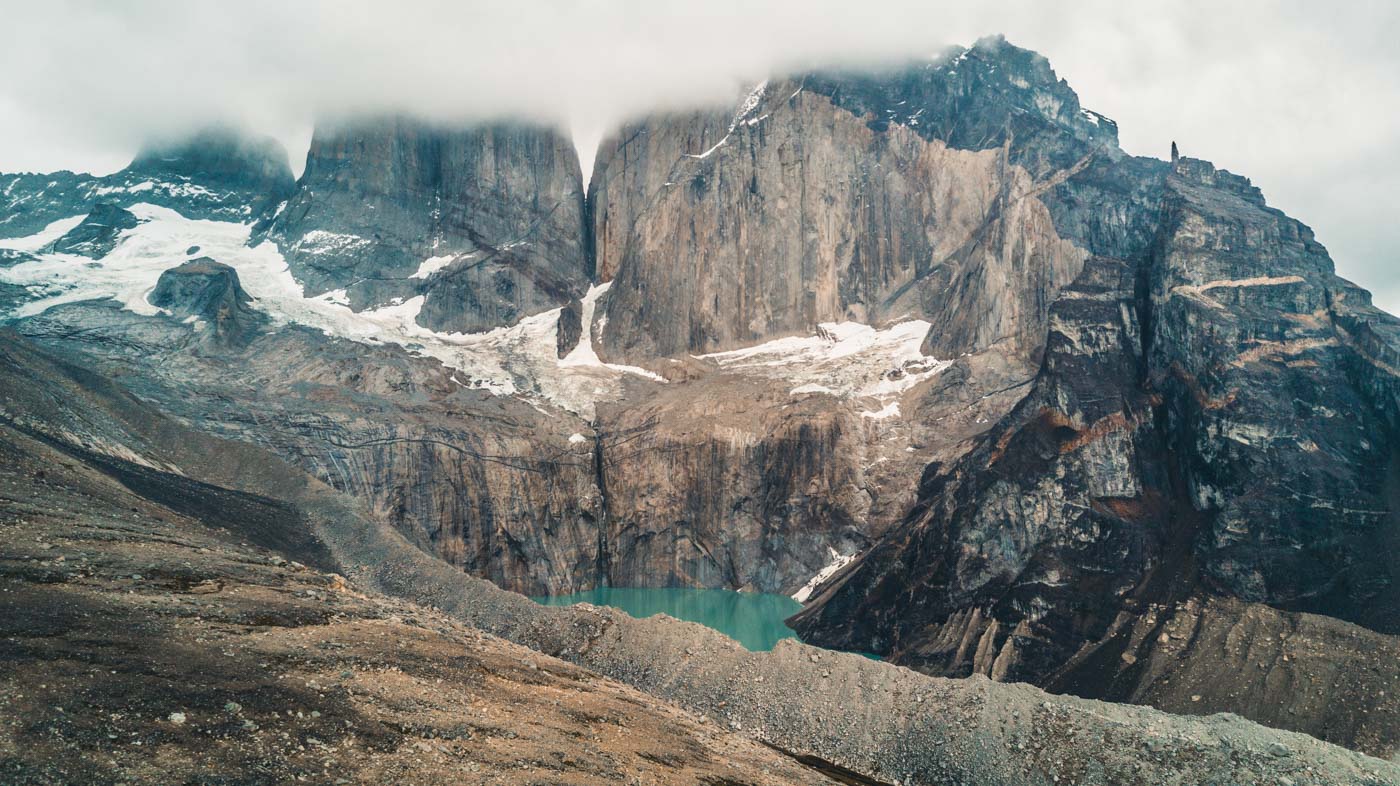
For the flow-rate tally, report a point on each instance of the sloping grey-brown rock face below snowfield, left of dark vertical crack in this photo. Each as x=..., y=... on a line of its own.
x=489, y=485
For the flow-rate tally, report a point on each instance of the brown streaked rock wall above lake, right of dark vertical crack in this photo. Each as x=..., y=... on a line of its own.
x=729, y=485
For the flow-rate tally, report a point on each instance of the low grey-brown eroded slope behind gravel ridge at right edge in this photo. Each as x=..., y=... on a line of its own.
x=1174, y=658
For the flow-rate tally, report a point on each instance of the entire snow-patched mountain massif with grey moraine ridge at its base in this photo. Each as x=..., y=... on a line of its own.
x=920, y=344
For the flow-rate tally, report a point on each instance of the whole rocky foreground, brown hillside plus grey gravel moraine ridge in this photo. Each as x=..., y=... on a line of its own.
x=120, y=529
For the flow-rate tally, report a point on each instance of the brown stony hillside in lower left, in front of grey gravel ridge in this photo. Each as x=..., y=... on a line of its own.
x=155, y=631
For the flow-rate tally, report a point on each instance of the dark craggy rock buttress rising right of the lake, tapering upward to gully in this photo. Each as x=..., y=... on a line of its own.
x=1020, y=564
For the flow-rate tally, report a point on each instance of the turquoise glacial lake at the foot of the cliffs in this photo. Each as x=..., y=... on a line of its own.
x=754, y=620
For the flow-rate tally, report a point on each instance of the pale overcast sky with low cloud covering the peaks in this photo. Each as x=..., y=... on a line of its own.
x=1301, y=97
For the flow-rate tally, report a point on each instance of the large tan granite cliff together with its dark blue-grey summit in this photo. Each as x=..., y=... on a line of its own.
x=965, y=191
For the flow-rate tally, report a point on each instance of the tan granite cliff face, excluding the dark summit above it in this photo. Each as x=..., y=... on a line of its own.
x=800, y=214
